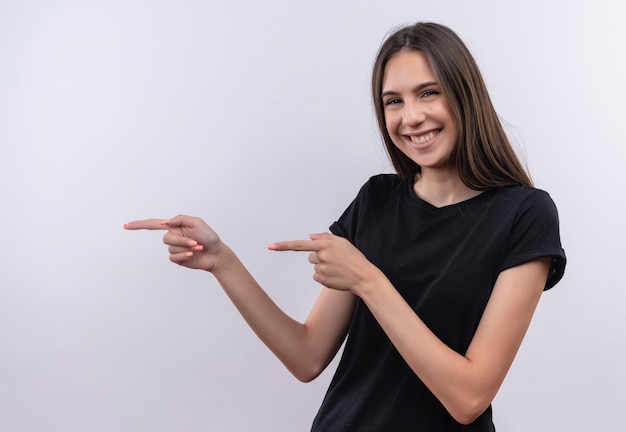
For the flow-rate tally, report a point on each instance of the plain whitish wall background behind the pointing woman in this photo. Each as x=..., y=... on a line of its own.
x=257, y=117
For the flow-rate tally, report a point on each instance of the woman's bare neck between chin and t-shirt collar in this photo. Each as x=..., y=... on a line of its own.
x=442, y=188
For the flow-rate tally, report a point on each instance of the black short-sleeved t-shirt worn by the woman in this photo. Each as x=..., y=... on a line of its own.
x=444, y=262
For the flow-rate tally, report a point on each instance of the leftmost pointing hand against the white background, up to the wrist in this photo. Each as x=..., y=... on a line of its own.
x=191, y=242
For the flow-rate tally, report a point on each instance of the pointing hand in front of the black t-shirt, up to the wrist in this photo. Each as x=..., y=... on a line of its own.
x=336, y=262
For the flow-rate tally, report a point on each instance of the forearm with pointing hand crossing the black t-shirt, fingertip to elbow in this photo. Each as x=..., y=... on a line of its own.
x=342, y=267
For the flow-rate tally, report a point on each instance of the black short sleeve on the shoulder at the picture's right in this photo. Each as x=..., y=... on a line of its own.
x=535, y=234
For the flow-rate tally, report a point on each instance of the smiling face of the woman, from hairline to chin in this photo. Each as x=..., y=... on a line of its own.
x=417, y=115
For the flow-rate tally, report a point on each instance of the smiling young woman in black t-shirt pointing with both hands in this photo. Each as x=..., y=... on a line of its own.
x=432, y=273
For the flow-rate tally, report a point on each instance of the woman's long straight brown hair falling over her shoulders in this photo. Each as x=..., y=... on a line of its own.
x=484, y=156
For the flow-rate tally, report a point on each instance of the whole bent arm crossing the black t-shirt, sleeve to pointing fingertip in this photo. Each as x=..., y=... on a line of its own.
x=465, y=385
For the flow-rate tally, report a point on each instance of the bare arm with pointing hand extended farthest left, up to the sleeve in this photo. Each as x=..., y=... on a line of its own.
x=304, y=348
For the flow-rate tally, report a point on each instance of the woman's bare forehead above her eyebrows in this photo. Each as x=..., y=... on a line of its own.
x=407, y=68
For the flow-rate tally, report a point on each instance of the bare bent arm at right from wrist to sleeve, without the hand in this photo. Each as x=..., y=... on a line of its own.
x=467, y=384
